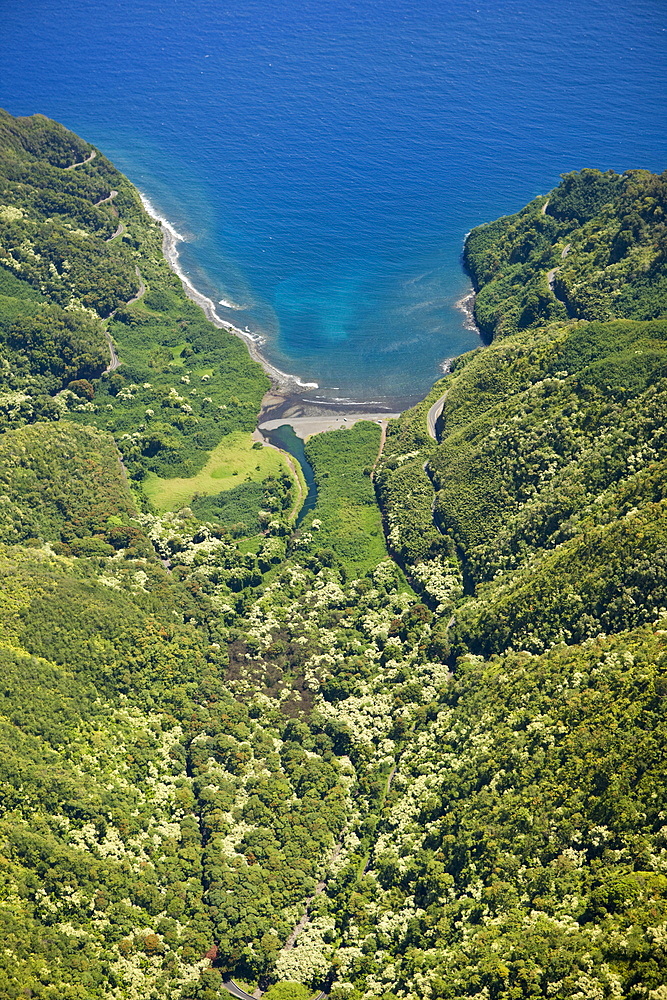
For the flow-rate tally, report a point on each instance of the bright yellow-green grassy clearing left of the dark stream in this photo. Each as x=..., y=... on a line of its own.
x=231, y=462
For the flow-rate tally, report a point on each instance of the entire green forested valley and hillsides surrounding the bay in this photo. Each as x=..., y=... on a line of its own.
x=412, y=748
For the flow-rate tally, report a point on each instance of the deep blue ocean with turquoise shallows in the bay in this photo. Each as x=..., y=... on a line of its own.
x=325, y=159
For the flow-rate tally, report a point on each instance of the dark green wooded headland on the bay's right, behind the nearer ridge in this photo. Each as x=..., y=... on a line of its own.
x=594, y=249
